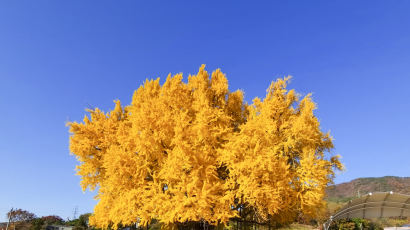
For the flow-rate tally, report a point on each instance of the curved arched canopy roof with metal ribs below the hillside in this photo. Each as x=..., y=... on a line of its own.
x=375, y=205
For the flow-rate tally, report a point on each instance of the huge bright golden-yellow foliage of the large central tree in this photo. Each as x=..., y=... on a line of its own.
x=195, y=151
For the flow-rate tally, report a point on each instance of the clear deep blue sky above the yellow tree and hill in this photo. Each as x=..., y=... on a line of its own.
x=59, y=57
